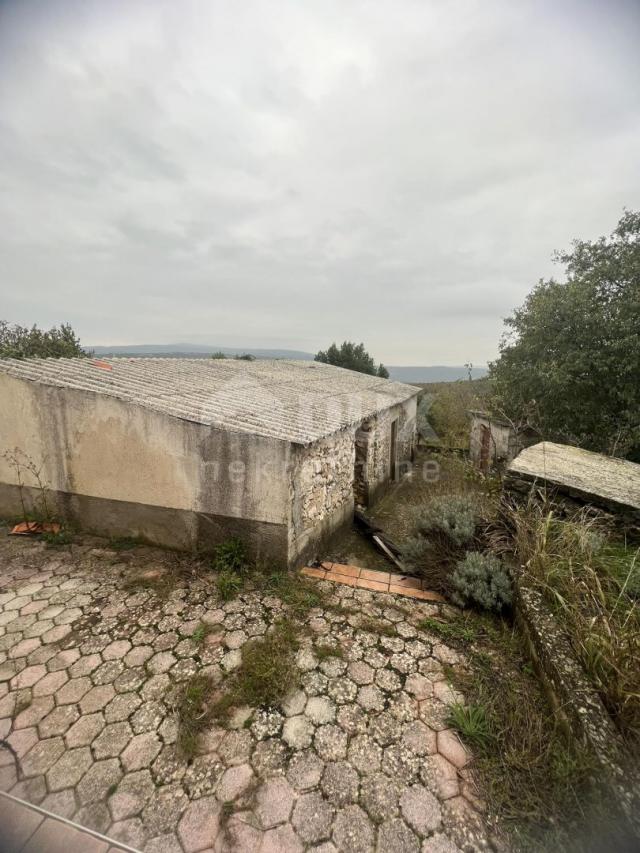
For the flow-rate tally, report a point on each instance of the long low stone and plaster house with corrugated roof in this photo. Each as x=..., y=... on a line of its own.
x=188, y=452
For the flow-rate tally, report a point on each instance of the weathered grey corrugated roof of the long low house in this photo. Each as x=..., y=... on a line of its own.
x=297, y=401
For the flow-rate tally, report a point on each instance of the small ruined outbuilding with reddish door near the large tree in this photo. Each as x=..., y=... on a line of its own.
x=494, y=442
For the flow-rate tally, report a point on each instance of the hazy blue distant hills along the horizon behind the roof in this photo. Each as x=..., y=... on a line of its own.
x=436, y=373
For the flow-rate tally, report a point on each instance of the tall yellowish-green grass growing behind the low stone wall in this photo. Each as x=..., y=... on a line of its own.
x=591, y=578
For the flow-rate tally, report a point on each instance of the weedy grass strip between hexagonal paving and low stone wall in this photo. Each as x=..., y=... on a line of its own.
x=536, y=779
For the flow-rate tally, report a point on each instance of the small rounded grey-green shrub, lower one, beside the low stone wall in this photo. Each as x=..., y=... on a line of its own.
x=481, y=579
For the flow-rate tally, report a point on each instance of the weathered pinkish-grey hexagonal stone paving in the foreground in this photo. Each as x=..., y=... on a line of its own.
x=359, y=758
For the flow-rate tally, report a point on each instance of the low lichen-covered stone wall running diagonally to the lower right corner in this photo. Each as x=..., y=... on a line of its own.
x=576, y=701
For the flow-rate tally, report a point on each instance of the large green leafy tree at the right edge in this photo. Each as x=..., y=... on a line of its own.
x=569, y=362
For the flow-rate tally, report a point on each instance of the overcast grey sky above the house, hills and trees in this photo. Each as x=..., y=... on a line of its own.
x=290, y=173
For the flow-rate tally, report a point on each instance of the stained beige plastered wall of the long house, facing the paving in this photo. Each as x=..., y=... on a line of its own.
x=120, y=469
